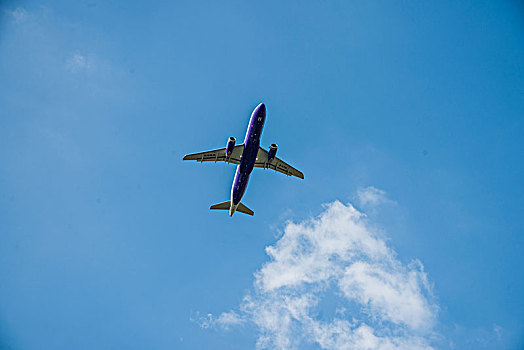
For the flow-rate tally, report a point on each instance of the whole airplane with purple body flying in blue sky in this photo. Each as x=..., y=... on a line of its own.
x=247, y=156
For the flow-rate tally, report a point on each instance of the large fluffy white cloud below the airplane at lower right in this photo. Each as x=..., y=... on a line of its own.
x=380, y=303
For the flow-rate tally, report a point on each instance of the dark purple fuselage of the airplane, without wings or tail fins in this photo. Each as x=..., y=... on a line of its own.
x=249, y=156
